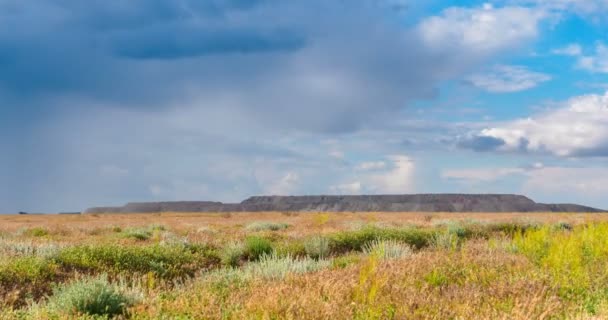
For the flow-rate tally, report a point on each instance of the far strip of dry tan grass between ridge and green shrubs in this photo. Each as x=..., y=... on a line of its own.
x=302, y=222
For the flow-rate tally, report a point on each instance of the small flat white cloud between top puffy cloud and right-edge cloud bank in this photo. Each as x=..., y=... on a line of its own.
x=503, y=78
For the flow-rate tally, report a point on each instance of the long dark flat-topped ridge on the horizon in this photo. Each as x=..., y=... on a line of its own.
x=358, y=203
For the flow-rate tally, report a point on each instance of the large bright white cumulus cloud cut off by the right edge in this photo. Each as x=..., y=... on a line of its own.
x=580, y=128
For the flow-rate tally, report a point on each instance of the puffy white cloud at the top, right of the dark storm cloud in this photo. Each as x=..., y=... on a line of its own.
x=483, y=29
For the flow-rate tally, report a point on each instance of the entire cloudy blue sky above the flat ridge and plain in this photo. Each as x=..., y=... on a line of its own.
x=107, y=102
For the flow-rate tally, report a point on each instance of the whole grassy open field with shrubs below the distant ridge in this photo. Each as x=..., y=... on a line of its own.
x=304, y=266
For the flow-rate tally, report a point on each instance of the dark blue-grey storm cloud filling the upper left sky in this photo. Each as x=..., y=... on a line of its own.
x=314, y=65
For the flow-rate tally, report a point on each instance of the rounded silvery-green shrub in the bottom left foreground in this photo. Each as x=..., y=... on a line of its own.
x=94, y=296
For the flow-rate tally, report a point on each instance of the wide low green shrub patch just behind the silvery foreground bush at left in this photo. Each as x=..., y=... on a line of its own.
x=165, y=261
